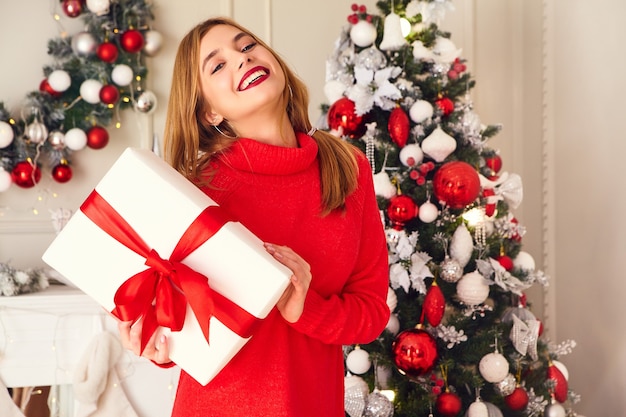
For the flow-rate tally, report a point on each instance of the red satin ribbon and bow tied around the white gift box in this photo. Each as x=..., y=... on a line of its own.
x=160, y=293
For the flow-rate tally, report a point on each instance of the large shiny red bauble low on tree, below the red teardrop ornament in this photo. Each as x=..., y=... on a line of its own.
x=414, y=352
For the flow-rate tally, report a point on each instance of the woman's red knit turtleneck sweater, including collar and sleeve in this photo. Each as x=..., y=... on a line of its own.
x=297, y=370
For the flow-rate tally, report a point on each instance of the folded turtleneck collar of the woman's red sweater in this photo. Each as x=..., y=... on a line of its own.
x=252, y=156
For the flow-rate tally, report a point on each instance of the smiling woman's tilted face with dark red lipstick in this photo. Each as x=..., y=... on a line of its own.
x=240, y=79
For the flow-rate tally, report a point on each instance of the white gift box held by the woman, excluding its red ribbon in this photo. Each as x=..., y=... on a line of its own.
x=160, y=204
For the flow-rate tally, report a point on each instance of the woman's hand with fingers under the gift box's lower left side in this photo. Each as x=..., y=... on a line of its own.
x=157, y=349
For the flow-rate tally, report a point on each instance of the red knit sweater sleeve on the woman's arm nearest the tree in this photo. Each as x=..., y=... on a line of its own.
x=359, y=313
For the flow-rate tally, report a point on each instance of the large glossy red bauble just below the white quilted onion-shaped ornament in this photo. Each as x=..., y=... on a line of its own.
x=457, y=184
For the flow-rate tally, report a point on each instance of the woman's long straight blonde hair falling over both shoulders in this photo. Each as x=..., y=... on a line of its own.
x=190, y=140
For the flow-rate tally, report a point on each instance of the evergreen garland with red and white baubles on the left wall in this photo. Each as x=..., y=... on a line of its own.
x=97, y=72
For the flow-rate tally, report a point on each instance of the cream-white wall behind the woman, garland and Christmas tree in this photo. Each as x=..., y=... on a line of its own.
x=550, y=71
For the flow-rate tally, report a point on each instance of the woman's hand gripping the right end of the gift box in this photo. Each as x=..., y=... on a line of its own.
x=291, y=303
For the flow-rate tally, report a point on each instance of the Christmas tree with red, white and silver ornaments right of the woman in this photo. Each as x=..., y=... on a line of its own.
x=462, y=339
